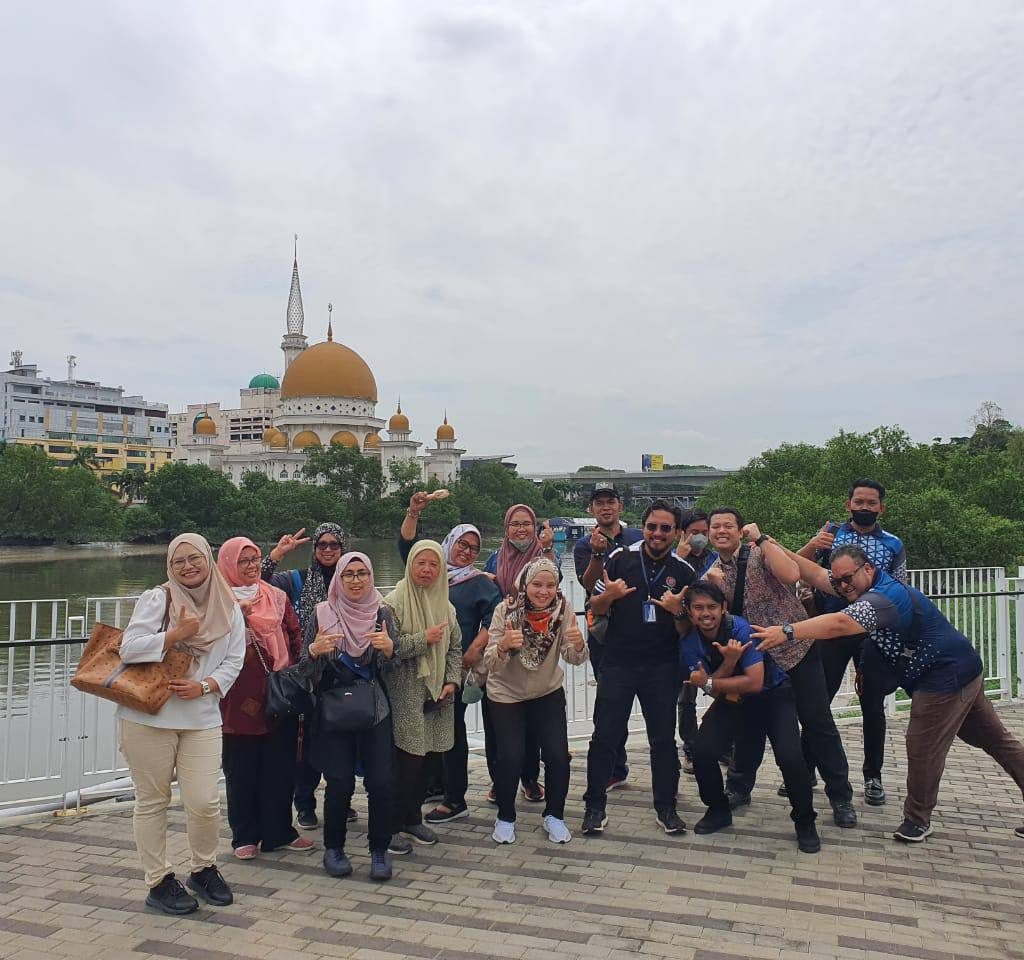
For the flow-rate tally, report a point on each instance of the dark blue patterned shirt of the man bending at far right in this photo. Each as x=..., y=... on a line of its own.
x=926, y=651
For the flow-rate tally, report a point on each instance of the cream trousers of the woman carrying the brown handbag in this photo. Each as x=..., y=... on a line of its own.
x=154, y=755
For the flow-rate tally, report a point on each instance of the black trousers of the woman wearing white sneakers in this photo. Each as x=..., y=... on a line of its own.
x=543, y=721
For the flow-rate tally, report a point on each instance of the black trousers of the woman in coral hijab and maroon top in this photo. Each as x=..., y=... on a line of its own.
x=259, y=774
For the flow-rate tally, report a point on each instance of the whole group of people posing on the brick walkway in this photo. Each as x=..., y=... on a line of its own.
x=685, y=603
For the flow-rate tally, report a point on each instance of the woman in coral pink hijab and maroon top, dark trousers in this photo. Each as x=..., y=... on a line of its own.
x=259, y=760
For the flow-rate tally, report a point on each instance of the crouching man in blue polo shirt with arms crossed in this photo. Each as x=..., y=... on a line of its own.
x=750, y=691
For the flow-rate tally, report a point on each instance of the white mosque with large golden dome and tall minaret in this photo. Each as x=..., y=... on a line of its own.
x=328, y=396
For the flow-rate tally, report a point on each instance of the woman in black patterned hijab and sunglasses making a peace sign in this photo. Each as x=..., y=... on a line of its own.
x=307, y=589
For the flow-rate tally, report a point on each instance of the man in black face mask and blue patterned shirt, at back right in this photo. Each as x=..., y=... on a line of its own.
x=867, y=503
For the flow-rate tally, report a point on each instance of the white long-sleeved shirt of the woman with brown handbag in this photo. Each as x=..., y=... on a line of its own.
x=144, y=643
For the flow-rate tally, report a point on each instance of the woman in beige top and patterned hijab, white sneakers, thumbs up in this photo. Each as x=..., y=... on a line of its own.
x=531, y=631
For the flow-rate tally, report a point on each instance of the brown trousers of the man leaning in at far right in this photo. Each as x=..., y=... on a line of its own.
x=936, y=719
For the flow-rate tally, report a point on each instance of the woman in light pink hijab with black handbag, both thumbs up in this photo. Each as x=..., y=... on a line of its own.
x=353, y=638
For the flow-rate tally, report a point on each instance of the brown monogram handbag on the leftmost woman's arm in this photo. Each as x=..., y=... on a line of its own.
x=138, y=686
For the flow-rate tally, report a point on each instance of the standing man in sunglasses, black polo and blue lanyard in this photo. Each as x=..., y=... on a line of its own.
x=642, y=592
